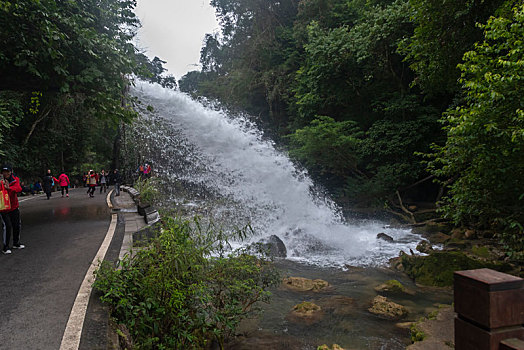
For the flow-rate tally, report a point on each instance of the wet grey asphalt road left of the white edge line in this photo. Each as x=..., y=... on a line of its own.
x=38, y=284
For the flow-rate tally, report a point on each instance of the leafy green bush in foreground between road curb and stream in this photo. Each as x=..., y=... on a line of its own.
x=185, y=288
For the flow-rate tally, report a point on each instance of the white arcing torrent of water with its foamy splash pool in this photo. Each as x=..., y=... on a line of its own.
x=250, y=181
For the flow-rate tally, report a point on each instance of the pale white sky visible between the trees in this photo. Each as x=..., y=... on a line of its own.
x=174, y=31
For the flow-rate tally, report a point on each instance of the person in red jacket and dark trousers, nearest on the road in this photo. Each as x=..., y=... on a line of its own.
x=11, y=217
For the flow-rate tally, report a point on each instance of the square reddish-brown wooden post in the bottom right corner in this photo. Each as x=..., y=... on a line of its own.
x=489, y=307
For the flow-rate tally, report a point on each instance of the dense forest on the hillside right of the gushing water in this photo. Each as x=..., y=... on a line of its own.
x=385, y=101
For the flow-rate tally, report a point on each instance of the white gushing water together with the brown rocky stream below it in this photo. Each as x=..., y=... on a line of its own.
x=220, y=166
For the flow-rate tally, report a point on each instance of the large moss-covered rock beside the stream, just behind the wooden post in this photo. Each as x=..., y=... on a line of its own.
x=437, y=268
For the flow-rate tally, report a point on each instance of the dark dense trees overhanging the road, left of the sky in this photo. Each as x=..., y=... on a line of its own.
x=65, y=68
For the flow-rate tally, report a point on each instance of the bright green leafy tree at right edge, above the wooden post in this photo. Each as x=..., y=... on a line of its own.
x=484, y=152
